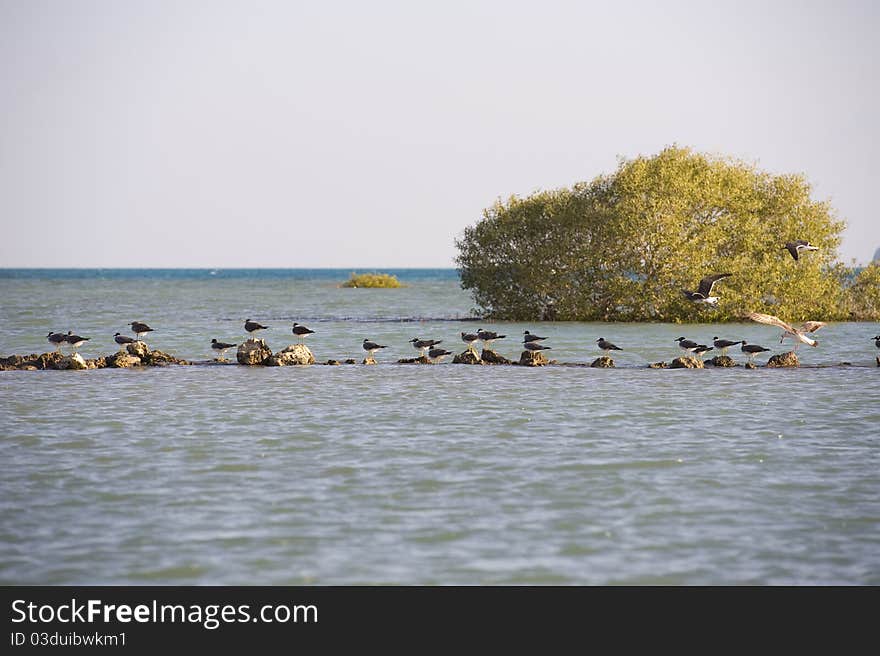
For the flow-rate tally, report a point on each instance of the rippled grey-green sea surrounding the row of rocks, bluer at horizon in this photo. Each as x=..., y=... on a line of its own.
x=436, y=475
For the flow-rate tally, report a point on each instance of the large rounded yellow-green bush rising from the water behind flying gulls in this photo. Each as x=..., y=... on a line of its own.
x=624, y=246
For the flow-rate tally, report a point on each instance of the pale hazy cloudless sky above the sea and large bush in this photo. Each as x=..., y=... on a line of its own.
x=369, y=134
